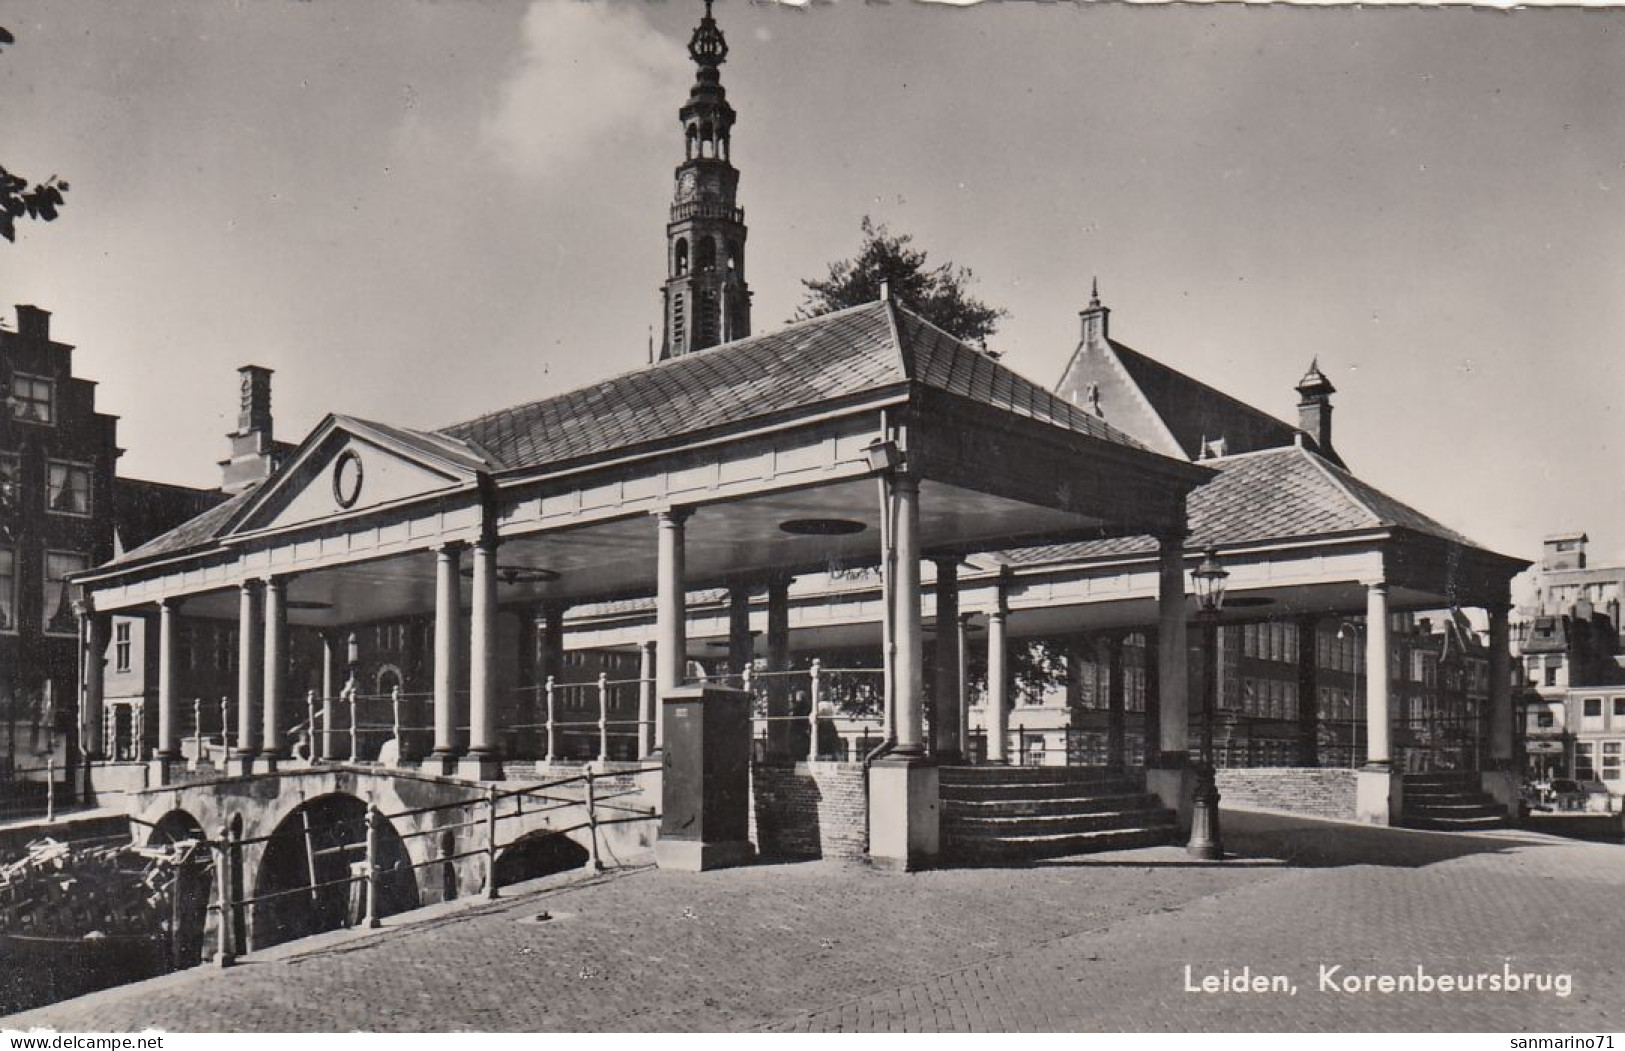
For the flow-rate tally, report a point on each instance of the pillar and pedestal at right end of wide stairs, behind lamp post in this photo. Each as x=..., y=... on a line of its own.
x=1171, y=779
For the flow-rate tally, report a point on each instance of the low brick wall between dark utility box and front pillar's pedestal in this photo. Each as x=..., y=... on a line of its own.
x=808, y=810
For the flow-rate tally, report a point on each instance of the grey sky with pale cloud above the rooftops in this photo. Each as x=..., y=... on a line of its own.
x=420, y=212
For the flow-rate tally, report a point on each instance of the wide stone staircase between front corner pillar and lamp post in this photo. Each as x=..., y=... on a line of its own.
x=1010, y=813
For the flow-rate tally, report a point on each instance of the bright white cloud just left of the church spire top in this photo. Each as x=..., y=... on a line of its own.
x=591, y=74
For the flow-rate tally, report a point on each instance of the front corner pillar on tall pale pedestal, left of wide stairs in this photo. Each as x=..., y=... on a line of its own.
x=904, y=785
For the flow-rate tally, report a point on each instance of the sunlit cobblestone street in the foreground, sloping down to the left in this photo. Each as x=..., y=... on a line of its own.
x=1093, y=943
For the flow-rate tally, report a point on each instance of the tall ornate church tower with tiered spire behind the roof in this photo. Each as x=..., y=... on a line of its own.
x=708, y=300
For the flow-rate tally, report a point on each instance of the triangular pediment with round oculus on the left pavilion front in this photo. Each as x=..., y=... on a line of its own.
x=350, y=467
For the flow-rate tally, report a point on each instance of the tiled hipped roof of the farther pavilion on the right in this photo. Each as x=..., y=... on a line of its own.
x=1276, y=495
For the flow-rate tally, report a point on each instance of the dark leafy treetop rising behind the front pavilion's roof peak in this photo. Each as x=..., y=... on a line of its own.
x=935, y=293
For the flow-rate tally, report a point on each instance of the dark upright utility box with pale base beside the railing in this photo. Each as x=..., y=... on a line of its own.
x=706, y=785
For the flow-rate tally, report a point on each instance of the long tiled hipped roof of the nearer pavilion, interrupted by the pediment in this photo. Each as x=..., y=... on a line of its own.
x=799, y=368
